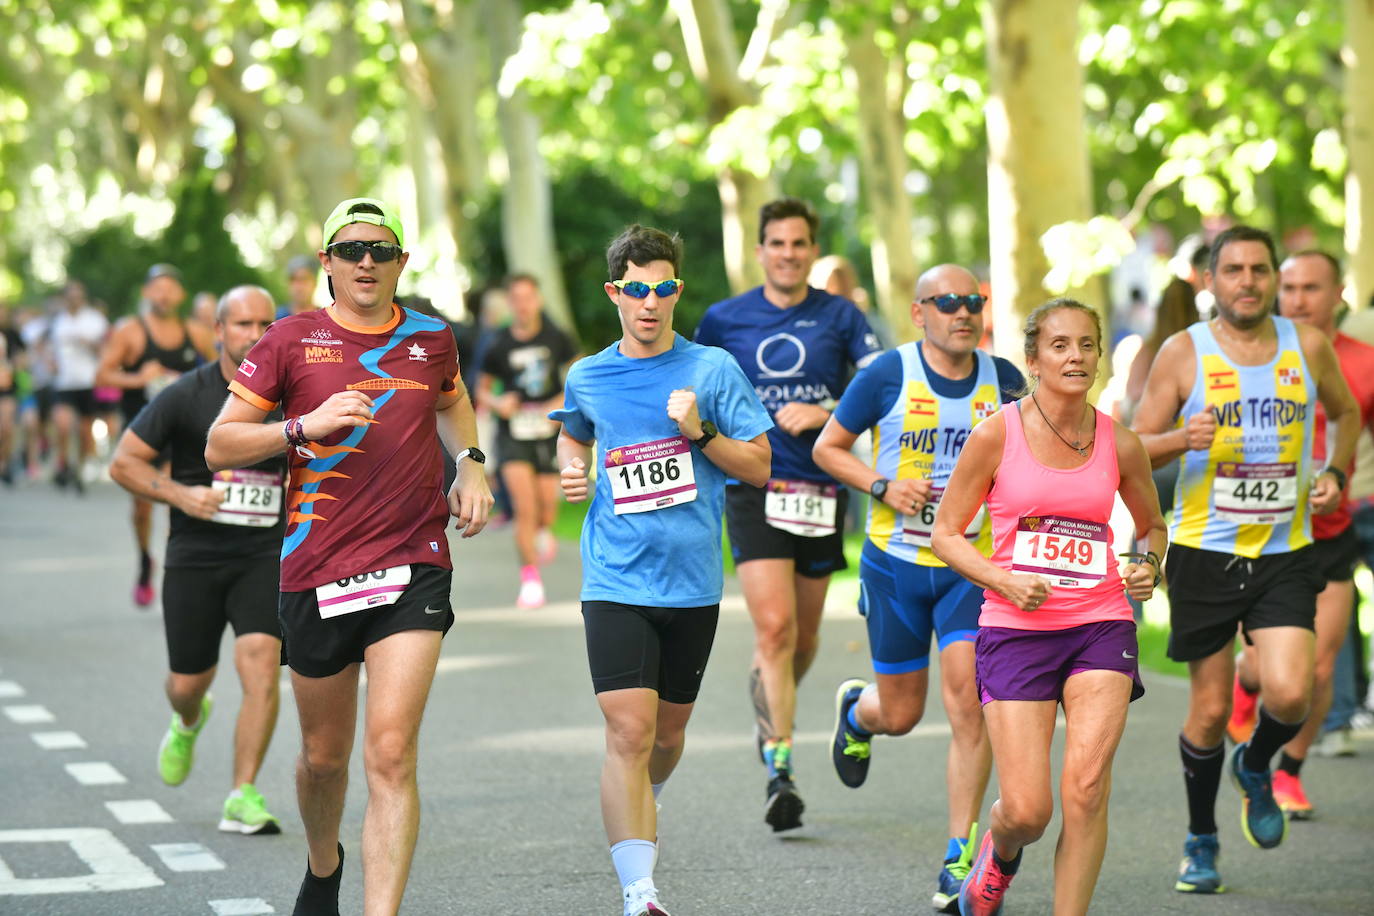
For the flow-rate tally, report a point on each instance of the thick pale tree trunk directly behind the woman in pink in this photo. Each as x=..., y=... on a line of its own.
x=1038, y=159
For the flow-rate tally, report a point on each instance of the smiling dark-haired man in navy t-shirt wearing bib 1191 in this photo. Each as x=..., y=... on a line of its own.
x=798, y=345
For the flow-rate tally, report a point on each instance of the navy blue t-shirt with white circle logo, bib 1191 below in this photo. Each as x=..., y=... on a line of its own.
x=792, y=355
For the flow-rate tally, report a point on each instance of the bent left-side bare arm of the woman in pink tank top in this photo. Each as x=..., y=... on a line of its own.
x=965, y=492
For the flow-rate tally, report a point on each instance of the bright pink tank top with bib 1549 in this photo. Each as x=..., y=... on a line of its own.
x=1056, y=524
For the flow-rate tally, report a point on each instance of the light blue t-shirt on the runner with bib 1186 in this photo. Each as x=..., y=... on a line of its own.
x=667, y=557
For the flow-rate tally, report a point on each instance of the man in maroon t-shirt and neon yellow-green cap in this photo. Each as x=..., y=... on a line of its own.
x=366, y=573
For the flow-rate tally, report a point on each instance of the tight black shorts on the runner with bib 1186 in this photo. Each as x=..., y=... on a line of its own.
x=664, y=649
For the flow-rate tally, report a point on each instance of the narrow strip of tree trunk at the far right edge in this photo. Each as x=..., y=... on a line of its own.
x=1360, y=146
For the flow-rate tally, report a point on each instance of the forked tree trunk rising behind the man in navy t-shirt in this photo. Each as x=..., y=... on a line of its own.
x=714, y=53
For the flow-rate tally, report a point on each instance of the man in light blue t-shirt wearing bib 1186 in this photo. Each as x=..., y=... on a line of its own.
x=671, y=421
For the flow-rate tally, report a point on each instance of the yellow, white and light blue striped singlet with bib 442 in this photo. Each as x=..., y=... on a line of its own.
x=1248, y=494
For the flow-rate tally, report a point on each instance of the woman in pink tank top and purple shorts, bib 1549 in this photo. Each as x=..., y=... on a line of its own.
x=1056, y=626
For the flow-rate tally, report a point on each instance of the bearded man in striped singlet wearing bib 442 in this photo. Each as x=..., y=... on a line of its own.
x=1235, y=399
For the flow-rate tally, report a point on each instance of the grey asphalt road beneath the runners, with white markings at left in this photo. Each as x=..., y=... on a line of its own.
x=510, y=756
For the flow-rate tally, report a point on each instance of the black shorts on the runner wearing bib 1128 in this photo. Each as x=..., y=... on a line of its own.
x=199, y=601
